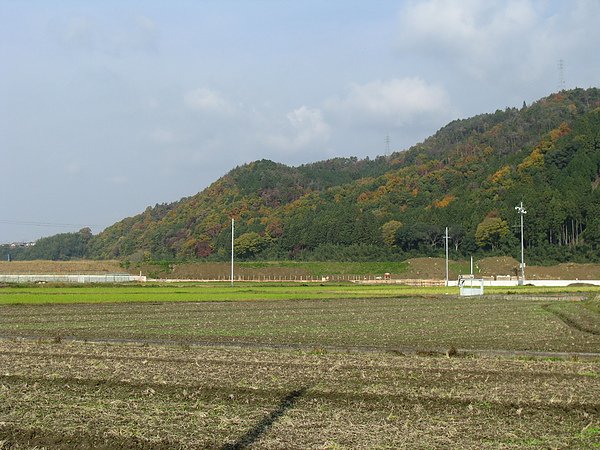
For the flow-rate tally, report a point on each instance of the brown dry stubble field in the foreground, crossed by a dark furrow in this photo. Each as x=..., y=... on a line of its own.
x=76, y=395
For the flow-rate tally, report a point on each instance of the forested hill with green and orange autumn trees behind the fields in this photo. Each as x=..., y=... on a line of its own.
x=469, y=176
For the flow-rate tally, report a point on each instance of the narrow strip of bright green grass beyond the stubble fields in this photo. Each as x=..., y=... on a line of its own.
x=186, y=292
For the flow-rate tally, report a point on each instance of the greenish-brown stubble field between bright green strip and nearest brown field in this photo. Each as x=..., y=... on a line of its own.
x=421, y=324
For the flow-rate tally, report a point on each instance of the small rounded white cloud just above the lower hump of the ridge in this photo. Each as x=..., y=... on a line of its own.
x=304, y=126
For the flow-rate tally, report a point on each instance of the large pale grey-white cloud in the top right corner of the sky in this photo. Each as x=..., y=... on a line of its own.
x=495, y=39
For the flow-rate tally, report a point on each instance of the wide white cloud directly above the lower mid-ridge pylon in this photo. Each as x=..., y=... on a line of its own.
x=396, y=102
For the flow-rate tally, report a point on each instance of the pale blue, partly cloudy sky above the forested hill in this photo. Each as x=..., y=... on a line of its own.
x=108, y=107
